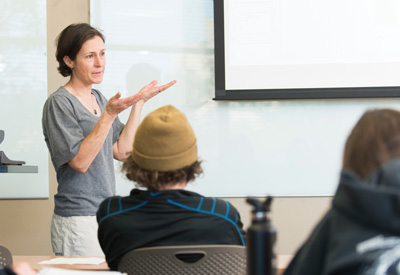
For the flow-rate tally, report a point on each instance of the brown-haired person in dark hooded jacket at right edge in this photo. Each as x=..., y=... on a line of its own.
x=360, y=234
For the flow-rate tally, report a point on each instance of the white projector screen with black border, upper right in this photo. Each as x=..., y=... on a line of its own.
x=267, y=49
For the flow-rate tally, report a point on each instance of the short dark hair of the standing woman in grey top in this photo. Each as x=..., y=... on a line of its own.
x=70, y=41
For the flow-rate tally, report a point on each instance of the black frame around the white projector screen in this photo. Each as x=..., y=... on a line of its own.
x=221, y=93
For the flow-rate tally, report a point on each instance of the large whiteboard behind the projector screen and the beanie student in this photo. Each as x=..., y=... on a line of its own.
x=248, y=148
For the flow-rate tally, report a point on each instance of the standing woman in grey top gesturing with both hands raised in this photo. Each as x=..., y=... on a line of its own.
x=84, y=134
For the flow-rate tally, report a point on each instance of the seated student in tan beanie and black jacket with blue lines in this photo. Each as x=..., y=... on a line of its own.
x=163, y=161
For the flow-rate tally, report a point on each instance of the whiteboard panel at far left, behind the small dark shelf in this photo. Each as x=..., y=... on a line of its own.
x=23, y=82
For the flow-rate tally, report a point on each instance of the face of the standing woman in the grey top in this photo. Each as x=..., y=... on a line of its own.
x=89, y=64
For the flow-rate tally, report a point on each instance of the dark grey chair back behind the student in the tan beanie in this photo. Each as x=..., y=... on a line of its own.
x=187, y=260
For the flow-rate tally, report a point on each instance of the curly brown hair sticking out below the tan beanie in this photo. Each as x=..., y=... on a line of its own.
x=154, y=180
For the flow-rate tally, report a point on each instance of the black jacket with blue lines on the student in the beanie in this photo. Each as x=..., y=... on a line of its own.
x=173, y=217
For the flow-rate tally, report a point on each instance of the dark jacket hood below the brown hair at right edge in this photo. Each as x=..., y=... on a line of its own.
x=374, y=201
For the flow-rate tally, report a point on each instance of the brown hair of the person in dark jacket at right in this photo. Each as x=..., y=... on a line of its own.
x=374, y=140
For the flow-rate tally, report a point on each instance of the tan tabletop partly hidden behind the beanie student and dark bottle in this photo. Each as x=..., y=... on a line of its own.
x=282, y=262
